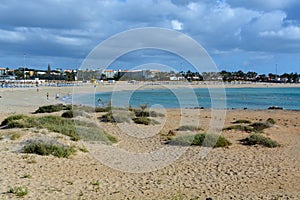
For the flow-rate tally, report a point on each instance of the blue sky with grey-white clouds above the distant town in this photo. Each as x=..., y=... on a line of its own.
x=238, y=34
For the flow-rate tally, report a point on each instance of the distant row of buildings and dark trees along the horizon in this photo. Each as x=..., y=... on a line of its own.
x=94, y=75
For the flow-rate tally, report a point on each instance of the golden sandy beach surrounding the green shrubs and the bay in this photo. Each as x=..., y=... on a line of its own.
x=234, y=172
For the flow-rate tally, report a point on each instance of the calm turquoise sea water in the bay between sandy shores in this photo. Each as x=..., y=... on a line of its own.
x=238, y=98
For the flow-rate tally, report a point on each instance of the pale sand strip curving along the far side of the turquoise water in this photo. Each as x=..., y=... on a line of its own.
x=18, y=100
